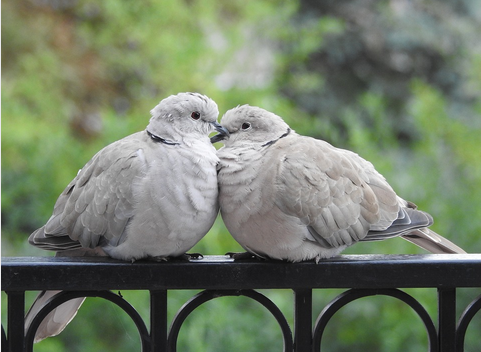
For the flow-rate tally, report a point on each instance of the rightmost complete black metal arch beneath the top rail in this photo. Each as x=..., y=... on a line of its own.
x=354, y=294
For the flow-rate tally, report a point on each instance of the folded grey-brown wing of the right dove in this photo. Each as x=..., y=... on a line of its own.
x=338, y=195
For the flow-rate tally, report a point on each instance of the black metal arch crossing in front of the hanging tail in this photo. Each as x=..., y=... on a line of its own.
x=65, y=296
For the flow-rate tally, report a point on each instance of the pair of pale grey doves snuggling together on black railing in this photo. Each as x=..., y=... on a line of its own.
x=156, y=193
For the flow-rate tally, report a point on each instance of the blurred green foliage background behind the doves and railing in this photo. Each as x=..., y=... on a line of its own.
x=397, y=81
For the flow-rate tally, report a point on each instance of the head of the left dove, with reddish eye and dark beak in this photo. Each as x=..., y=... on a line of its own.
x=184, y=114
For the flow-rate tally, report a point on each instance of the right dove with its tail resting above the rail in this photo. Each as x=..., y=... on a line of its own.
x=291, y=197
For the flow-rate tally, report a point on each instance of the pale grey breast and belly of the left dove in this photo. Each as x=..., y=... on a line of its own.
x=175, y=195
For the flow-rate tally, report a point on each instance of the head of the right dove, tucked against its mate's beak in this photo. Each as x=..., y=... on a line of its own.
x=249, y=124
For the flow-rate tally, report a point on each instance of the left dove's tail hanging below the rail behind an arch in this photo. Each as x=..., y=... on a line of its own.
x=56, y=320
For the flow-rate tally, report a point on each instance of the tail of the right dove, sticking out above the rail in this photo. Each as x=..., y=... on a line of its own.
x=432, y=242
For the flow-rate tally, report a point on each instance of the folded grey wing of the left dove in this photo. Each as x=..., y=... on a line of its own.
x=95, y=208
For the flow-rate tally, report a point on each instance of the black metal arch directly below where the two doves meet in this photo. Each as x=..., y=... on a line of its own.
x=208, y=295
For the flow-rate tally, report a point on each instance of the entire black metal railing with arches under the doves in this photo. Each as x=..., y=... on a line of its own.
x=218, y=276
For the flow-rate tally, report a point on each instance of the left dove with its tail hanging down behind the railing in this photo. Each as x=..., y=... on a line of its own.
x=151, y=195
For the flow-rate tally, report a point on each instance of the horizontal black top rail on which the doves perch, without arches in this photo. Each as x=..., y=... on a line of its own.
x=220, y=272
